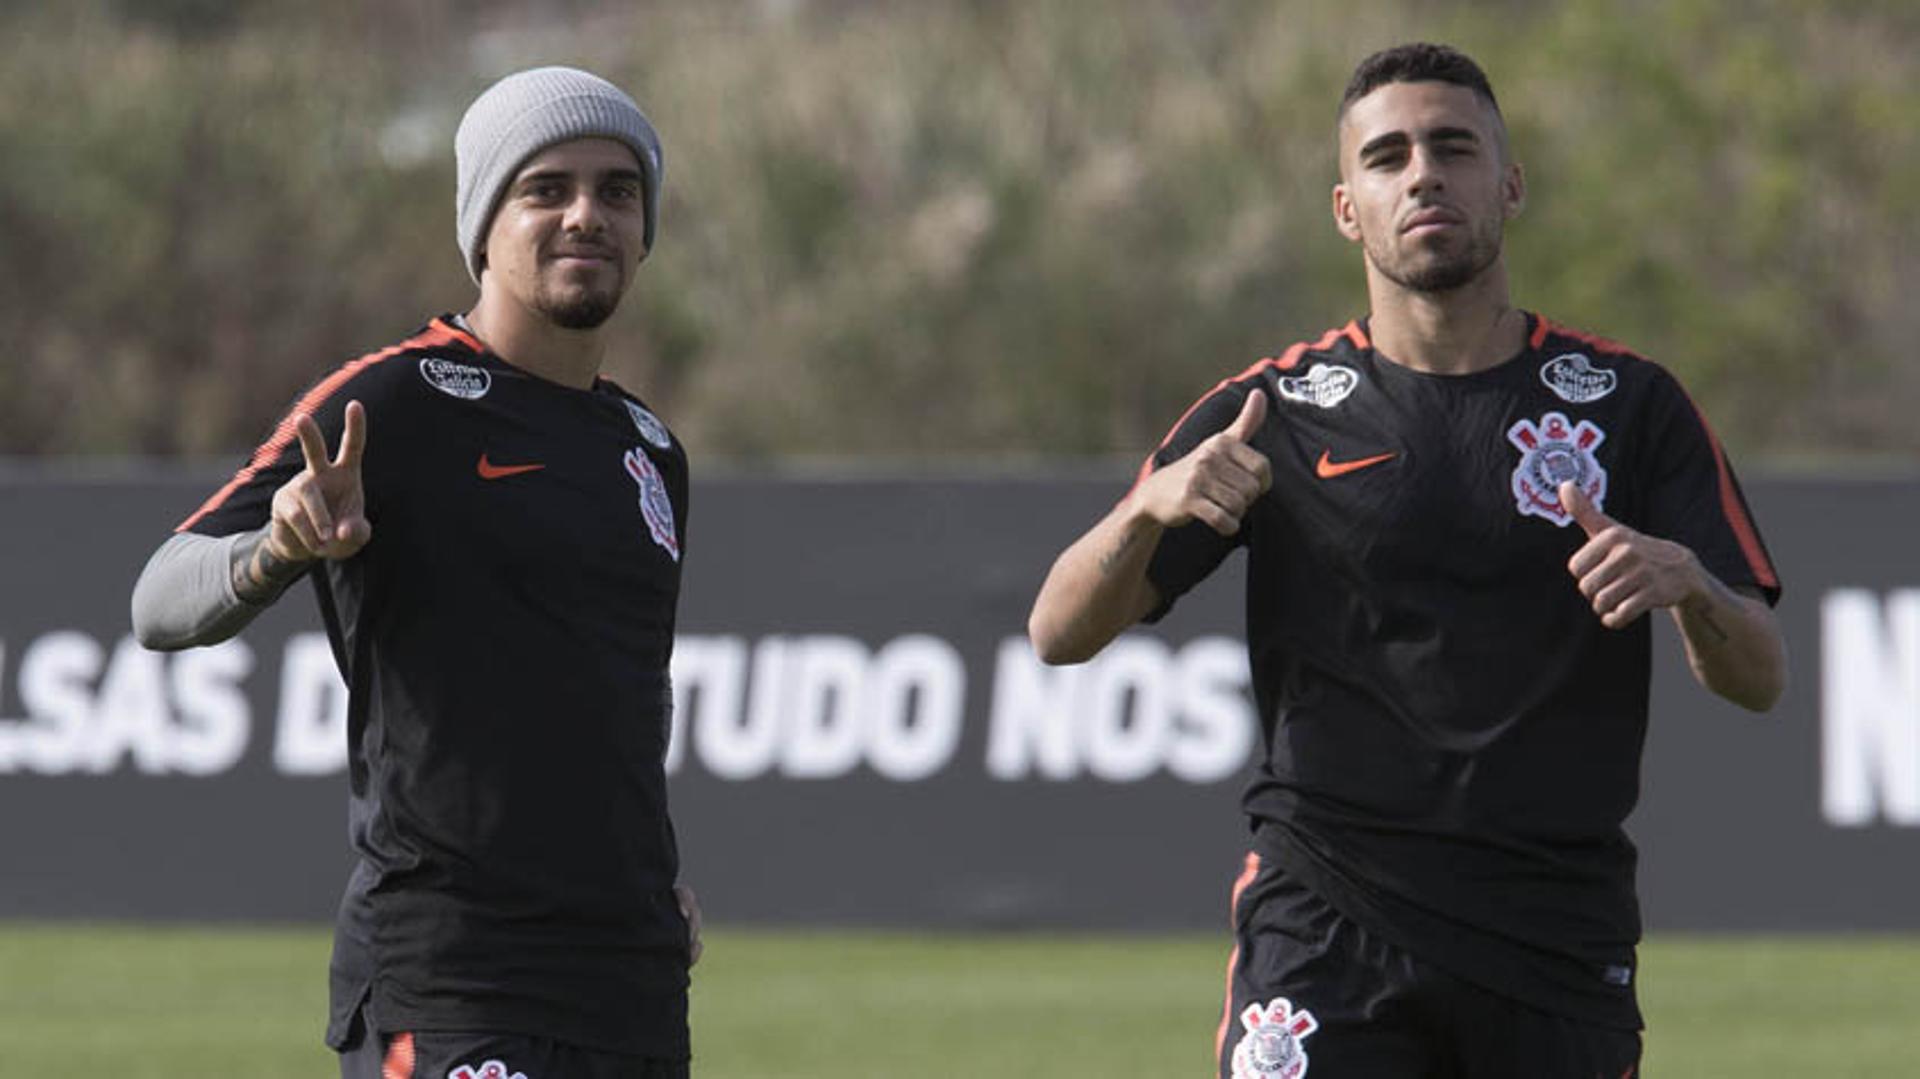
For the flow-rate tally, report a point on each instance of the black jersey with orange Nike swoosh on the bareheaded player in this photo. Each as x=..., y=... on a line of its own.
x=1452, y=736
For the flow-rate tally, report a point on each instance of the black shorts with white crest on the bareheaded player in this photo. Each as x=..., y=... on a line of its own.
x=1310, y=988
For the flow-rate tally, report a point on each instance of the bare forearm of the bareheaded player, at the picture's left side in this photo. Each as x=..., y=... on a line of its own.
x=1097, y=588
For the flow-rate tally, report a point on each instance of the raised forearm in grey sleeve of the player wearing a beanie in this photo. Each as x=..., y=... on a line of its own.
x=201, y=590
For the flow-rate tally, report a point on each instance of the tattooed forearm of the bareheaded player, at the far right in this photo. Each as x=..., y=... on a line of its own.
x=1735, y=646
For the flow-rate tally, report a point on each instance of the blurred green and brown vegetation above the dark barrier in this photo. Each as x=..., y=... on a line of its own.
x=988, y=229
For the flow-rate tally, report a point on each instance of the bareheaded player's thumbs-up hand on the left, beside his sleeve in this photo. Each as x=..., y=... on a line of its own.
x=1218, y=483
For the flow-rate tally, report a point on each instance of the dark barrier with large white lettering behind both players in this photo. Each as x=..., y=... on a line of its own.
x=863, y=736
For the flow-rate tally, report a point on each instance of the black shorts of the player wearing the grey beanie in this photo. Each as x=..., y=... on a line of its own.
x=454, y=1055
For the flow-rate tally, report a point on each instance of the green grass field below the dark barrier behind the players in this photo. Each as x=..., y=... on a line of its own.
x=139, y=1003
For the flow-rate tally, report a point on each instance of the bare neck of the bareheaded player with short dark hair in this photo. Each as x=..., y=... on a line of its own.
x=1447, y=333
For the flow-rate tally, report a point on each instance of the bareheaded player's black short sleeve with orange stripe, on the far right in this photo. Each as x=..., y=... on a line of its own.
x=1694, y=496
